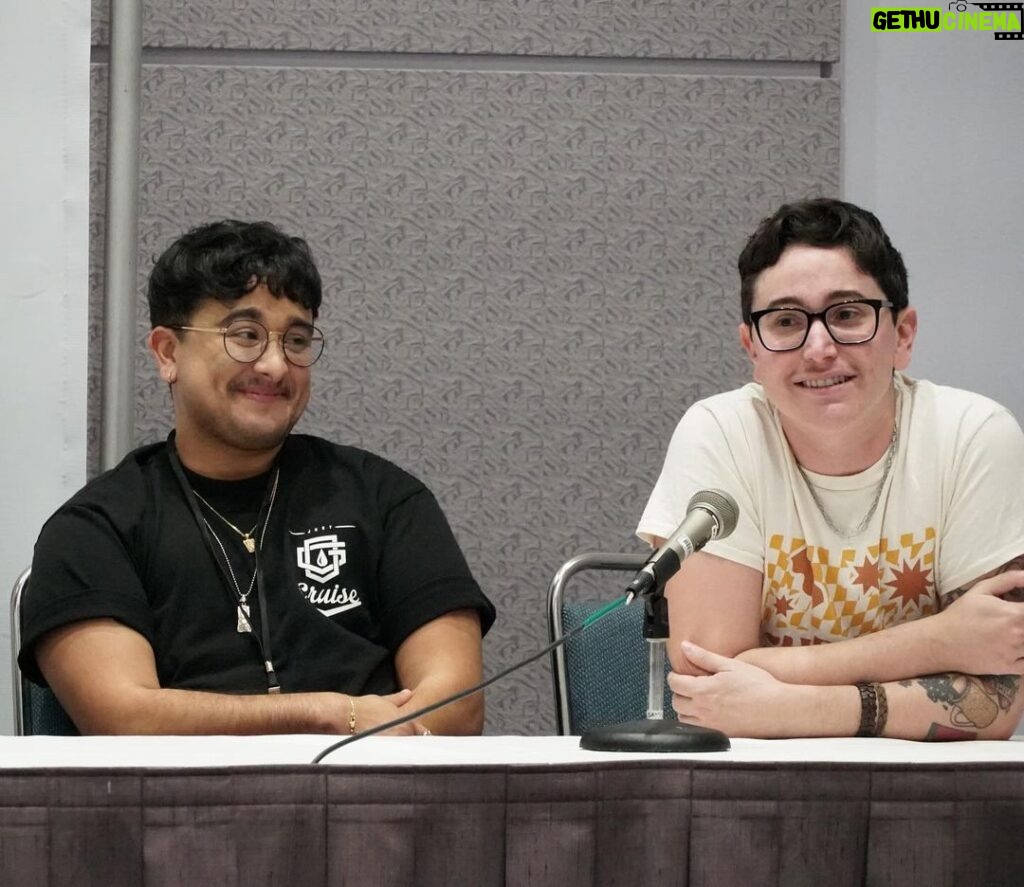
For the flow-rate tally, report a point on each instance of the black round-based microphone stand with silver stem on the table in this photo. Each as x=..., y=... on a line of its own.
x=655, y=734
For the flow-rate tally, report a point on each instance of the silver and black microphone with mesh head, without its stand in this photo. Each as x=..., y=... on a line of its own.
x=710, y=515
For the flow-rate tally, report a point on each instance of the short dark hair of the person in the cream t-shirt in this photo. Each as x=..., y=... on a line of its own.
x=825, y=223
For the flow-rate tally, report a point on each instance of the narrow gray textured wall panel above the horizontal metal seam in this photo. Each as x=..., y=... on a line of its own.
x=647, y=29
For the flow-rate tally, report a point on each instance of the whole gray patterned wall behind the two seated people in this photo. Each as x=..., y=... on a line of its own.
x=527, y=217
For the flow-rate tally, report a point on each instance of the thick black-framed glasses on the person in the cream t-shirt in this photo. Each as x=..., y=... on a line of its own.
x=851, y=323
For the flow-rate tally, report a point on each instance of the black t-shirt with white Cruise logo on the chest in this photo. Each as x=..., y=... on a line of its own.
x=357, y=555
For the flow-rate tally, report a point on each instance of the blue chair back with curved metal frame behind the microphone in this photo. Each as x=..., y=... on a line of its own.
x=602, y=675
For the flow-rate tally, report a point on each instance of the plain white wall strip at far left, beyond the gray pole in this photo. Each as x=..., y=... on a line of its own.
x=45, y=116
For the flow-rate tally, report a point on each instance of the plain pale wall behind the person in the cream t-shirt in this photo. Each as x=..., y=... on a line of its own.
x=933, y=142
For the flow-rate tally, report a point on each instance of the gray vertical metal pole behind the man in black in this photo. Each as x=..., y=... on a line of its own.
x=118, y=386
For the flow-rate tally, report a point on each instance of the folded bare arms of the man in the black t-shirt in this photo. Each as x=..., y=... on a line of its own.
x=105, y=675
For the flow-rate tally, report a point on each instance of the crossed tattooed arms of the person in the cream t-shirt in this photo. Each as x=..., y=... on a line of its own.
x=953, y=675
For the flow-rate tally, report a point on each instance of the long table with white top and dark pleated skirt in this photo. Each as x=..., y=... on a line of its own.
x=517, y=811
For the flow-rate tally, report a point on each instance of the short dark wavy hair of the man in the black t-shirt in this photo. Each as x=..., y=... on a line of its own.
x=226, y=261
